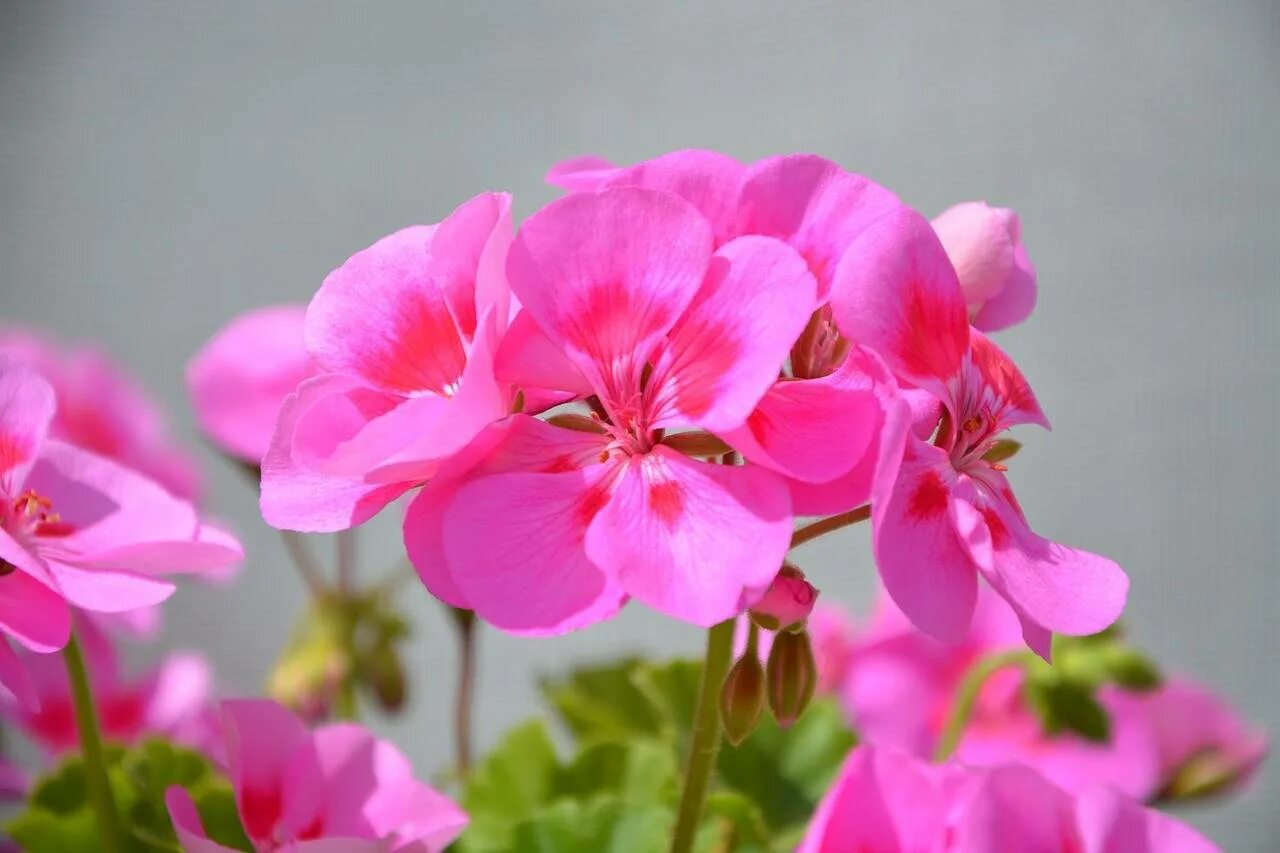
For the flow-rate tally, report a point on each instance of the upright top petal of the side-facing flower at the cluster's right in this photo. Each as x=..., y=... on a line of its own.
x=897, y=293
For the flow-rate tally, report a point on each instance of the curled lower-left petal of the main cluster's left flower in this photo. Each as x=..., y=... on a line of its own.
x=296, y=499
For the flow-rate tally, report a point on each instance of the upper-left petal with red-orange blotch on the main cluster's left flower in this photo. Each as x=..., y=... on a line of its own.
x=385, y=316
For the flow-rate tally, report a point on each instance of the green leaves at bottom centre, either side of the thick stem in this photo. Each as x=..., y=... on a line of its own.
x=619, y=790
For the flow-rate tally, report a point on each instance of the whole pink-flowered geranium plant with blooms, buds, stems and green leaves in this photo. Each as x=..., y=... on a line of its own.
x=651, y=393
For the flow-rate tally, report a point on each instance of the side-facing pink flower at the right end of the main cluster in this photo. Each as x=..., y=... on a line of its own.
x=950, y=516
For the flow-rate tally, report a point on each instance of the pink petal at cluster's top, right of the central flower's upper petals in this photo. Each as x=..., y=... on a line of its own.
x=812, y=204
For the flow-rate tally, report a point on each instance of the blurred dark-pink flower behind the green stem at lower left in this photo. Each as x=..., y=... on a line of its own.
x=171, y=700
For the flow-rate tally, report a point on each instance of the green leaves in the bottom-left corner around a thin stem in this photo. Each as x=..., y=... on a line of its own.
x=58, y=818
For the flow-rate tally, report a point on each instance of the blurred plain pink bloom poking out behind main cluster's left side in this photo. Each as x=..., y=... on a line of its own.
x=240, y=378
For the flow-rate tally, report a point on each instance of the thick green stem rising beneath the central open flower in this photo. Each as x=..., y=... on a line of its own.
x=706, y=738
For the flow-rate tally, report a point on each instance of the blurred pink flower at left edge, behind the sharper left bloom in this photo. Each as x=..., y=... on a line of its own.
x=104, y=410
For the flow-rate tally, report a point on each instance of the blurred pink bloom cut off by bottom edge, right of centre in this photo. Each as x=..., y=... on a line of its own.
x=888, y=801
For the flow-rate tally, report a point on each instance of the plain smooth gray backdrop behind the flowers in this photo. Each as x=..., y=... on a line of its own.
x=164, y=167
